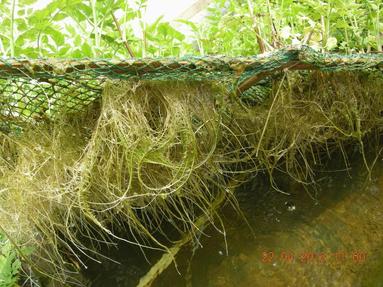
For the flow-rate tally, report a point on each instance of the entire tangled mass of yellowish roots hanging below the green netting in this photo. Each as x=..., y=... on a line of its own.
x=153, y=153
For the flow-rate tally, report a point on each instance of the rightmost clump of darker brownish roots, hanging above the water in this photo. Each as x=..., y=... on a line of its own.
x=313, y=114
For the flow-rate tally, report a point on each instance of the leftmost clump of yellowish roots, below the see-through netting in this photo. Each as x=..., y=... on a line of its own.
x=33, y=198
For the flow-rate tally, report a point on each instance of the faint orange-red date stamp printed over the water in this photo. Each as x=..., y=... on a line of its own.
x=309, y=257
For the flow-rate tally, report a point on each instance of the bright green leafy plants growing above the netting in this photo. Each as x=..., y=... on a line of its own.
x=77, y=29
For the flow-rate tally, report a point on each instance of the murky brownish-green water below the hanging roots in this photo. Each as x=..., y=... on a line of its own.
x=327, y=235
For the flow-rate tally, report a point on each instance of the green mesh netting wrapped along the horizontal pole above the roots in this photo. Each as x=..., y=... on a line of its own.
x=31, y=90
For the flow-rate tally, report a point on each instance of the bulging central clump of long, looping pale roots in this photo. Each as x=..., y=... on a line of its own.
x=150, y=149
